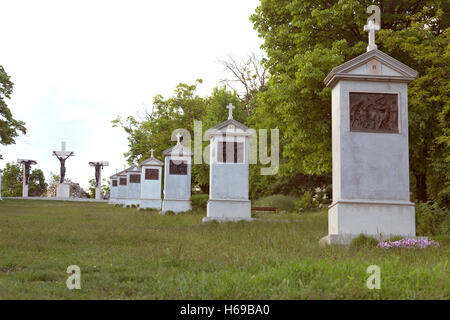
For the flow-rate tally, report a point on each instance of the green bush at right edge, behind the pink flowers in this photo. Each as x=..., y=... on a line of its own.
x=431, y=220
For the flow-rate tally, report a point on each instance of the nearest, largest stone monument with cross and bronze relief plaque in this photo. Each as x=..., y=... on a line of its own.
x=370, y=147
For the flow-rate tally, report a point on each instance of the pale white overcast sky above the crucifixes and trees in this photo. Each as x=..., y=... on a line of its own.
x=77, y=65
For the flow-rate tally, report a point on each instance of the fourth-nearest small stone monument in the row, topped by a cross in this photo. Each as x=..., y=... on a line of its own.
x=151, y=182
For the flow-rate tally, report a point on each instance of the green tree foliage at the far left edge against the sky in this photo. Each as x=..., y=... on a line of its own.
x=9, y=127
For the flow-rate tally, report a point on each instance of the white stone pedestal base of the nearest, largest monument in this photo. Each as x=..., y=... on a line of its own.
x=347, y=219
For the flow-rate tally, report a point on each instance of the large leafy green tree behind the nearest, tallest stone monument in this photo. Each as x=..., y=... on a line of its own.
x=304, y=40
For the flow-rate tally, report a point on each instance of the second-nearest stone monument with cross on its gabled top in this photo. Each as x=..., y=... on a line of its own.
x=229, y=164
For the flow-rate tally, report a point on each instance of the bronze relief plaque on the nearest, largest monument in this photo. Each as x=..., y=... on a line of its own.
x=374, y=112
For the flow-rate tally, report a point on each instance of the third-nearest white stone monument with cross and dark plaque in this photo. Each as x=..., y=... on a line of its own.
x=177, y=178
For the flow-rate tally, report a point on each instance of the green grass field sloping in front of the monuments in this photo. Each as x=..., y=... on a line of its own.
x=130, y=254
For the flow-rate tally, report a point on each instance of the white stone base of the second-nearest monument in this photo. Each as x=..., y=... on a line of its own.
x=228, y=210
